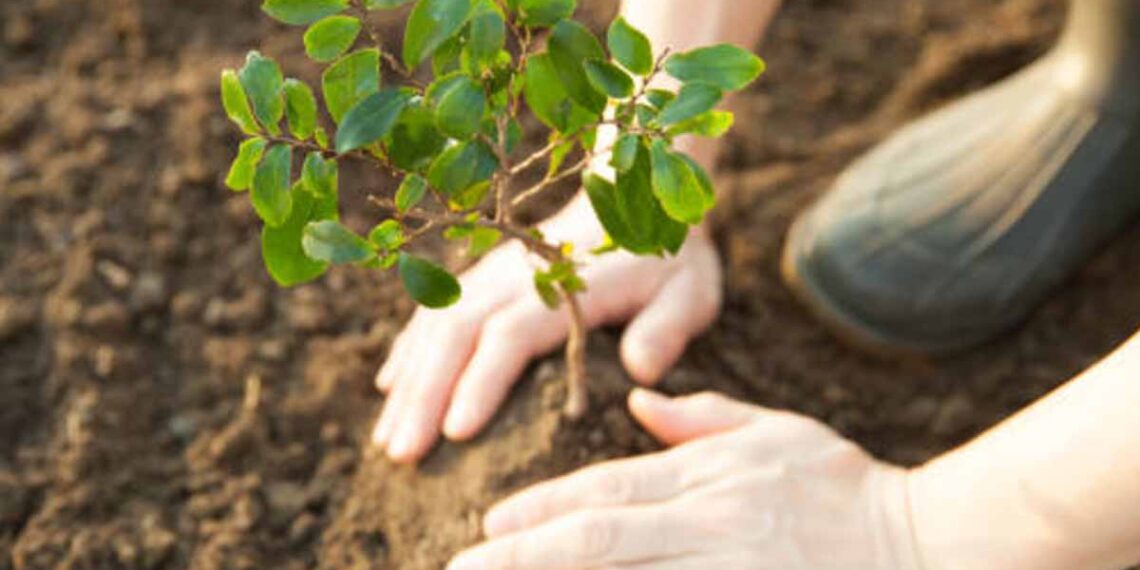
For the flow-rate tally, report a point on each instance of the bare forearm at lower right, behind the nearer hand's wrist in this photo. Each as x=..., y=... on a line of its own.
x=1055, y=487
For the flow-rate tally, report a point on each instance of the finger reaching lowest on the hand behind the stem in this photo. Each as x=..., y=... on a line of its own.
x=431, y=377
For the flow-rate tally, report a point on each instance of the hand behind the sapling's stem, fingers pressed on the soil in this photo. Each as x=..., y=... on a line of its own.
x=451, y=370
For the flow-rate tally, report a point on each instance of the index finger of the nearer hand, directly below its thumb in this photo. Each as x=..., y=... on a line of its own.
x=623, y=483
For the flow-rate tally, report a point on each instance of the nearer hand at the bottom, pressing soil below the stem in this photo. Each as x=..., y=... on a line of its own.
x=746, y=488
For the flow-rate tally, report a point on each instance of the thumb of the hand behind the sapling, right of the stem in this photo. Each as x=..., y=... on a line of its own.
x=657, y=337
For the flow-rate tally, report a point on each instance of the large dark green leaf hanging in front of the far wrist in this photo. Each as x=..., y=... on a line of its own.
x=632, y=215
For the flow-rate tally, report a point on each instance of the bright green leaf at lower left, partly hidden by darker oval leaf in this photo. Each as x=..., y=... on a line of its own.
x=281, y=248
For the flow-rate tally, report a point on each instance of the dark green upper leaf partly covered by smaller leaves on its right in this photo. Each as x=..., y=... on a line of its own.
x=571, y=45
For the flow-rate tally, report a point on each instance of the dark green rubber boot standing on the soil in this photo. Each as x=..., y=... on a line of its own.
x=959, y=225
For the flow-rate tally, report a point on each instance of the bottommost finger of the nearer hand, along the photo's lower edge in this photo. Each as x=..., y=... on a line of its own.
x=585, y=541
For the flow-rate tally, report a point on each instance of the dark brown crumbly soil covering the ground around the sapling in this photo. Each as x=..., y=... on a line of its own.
x=164, y=405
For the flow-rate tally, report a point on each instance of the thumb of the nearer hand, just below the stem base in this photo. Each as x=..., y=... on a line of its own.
x=677, y=421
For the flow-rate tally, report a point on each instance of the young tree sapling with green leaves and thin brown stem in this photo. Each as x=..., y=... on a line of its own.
x=453, y=139
